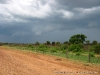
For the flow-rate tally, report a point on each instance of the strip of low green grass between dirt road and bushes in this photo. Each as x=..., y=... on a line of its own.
x=83, y=57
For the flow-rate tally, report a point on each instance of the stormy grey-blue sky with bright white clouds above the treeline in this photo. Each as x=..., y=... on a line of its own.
x=28, y=21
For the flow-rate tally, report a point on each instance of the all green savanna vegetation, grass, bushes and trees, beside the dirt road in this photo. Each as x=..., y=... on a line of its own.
x=77, y=48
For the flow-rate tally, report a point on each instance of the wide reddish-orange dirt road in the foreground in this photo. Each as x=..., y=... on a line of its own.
x=15, y=62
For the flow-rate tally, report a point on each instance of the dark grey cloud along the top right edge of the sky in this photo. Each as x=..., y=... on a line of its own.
x=79, y=3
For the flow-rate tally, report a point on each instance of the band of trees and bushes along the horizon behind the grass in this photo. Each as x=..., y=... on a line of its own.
x=76, y=43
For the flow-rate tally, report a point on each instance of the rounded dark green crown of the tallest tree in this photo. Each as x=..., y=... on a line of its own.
x=78, y=38
